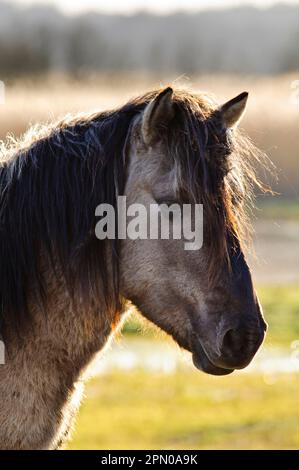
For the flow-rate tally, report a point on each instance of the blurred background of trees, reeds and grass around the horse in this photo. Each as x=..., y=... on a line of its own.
x=146, y=394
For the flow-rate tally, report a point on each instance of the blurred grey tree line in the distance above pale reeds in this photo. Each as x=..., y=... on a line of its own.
x=242, y=40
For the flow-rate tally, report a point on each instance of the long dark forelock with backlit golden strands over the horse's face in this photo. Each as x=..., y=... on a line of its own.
x=217, y=167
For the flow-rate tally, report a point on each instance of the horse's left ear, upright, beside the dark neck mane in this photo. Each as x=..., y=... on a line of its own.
x=157, y=114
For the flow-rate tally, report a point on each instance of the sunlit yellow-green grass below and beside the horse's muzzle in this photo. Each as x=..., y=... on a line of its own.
x=190, y=410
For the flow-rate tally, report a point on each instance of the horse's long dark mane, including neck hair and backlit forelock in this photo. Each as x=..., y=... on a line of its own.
x=52, y=179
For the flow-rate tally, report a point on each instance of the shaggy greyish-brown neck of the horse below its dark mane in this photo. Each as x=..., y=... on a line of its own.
x=43, y=371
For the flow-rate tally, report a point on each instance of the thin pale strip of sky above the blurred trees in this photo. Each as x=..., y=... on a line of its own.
x=159, y=6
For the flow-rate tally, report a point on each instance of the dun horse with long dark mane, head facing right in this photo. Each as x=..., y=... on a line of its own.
x=64, y=292
